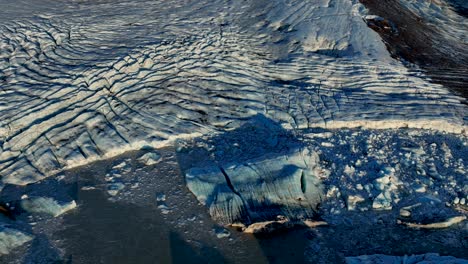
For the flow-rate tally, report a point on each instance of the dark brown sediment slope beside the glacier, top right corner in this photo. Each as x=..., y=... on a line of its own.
x=418, y=42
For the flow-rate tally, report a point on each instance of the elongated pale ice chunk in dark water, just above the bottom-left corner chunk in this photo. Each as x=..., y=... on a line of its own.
x=46, y=205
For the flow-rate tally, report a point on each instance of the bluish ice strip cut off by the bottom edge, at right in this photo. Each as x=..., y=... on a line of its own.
x=429, y=258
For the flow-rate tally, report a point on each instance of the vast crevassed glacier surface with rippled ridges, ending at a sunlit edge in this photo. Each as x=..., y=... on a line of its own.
x=93, y=86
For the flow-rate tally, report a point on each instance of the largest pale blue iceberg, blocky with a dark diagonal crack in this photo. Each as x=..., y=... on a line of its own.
x=259, y=188
